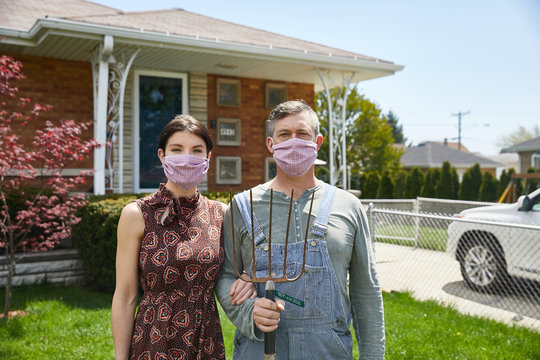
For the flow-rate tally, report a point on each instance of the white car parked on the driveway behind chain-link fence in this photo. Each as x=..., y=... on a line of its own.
x=489, y=253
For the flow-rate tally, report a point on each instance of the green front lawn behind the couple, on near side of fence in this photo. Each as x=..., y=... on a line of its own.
x=74, y=323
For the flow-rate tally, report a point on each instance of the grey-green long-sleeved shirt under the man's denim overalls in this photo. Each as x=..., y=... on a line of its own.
x=349, y=245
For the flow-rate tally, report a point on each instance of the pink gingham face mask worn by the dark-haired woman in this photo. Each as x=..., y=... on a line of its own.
x=186, y=171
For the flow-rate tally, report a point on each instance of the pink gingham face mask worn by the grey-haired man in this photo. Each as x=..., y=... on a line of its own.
x=295, y=156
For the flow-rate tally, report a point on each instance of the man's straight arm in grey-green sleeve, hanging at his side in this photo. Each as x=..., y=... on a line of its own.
x=365, y=294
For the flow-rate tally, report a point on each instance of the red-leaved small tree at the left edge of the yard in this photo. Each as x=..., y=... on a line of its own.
x=43, y=216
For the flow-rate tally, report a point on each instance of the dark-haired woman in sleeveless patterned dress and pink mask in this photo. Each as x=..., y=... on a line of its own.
x=171, y=240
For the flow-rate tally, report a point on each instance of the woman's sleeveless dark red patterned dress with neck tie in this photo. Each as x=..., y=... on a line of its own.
x=180, y=260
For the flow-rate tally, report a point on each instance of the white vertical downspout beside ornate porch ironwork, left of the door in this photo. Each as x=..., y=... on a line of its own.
x=100, y=124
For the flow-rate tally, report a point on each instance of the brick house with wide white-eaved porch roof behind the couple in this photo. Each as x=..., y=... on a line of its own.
x=131, y=72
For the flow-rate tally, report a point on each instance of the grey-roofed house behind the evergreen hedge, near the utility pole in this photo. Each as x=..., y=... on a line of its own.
x=432, y=155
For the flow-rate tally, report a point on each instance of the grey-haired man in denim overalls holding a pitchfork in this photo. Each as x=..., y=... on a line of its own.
x=314, y=321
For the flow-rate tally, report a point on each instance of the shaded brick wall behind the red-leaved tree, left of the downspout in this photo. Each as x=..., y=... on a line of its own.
x=67, y=86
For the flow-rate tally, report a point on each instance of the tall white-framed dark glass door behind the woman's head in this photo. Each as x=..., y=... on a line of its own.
x=158, y=98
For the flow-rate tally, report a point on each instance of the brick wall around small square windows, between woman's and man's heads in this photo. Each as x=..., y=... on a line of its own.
x=253, y=116
